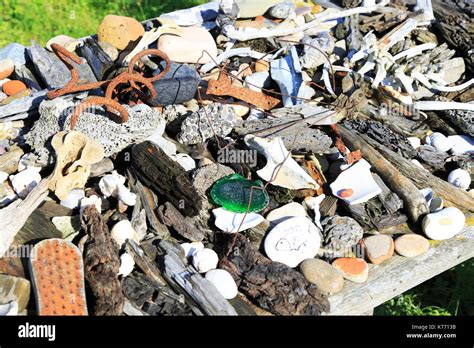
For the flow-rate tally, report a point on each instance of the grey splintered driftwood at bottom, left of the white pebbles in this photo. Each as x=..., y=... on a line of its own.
x=200, y=294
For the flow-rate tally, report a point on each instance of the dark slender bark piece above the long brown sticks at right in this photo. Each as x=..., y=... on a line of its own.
x=383, y=135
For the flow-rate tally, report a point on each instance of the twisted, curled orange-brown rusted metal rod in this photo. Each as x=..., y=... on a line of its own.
x=129, y=77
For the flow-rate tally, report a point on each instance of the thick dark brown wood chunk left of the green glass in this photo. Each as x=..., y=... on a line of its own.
x=163, y=175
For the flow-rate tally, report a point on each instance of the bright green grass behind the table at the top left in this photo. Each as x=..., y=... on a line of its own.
x=23, y=20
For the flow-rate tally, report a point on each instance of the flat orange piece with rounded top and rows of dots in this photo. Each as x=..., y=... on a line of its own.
x=57, y=273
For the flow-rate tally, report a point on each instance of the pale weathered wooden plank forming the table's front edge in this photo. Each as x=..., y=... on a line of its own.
x=400, y=274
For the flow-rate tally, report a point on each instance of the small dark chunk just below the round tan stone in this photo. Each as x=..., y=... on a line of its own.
x=98, y=60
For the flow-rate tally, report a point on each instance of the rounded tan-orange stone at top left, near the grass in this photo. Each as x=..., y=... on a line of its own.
x=120, y=31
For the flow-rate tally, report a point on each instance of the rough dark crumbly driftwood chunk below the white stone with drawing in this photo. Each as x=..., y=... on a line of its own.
x=271, y=285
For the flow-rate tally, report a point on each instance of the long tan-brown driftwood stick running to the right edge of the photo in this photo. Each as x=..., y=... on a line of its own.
x=451, y=195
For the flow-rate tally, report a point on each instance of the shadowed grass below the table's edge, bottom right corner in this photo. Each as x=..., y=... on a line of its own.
x=450, y=293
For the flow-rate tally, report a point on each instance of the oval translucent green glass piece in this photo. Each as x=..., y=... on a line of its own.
x=233, y=194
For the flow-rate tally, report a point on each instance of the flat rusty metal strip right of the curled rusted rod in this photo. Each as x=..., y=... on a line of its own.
x=223, y=87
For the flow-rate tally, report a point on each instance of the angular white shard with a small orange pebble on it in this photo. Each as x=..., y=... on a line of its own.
x=359, y=179
